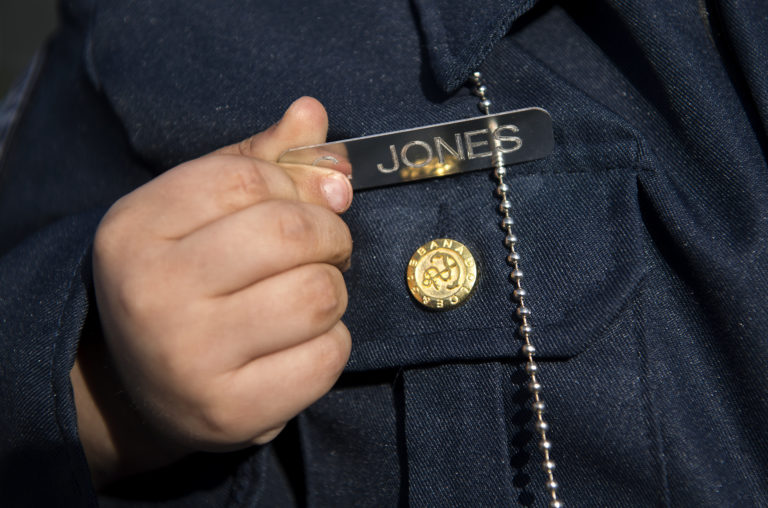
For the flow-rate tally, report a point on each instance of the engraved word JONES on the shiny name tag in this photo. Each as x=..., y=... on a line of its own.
x=418, y=153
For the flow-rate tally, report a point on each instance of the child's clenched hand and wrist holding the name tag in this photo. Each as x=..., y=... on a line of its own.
x=220, y=296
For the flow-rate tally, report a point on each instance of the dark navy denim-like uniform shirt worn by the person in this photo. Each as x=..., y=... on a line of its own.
x=642, y=239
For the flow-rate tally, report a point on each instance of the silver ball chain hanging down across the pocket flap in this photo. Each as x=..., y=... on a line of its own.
x=522, y=312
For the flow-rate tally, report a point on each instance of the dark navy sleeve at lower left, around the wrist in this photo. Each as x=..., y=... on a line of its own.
x=45, y=284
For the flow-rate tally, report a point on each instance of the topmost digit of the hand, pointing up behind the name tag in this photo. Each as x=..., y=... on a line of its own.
x=305, y=122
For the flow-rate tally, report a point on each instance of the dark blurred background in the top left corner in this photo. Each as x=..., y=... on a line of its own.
x=24, y=26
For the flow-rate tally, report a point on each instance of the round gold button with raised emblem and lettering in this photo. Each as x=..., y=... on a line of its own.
x=441, y=274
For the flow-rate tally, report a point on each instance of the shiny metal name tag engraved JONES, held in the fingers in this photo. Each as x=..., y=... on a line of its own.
x=435, y=150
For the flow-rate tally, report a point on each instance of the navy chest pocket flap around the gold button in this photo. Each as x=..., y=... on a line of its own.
x=580, y=237
